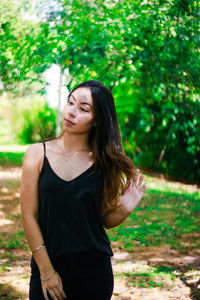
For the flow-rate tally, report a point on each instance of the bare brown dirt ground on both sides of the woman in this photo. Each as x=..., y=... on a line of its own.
x=181, y=281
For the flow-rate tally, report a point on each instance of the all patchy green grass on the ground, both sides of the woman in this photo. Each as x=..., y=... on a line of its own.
x=167, y=215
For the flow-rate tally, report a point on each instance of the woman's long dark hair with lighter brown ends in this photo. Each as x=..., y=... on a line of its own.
x=106, y=145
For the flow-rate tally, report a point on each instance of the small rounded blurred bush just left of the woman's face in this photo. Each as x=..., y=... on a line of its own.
x=33, y=120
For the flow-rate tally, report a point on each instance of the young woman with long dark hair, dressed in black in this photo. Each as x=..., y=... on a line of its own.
x=71, y=188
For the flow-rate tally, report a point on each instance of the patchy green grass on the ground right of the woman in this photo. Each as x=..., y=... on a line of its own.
x=168, y=215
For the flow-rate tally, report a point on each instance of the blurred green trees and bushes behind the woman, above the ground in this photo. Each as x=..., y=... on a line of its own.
x=146, y=52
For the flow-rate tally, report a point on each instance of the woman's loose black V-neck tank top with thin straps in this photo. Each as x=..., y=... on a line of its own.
x=69, y=212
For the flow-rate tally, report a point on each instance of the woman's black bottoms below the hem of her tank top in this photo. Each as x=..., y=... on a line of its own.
x=87, y=275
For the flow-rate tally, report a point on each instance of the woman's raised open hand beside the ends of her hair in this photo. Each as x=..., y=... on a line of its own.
x=134, y=193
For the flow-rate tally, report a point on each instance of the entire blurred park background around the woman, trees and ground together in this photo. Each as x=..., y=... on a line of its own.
x=147, y=53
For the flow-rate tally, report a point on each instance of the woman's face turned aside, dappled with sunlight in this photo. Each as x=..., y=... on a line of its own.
x=78, y=113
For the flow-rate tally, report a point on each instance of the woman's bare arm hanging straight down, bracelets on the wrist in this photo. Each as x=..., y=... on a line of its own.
x=29, y=207
